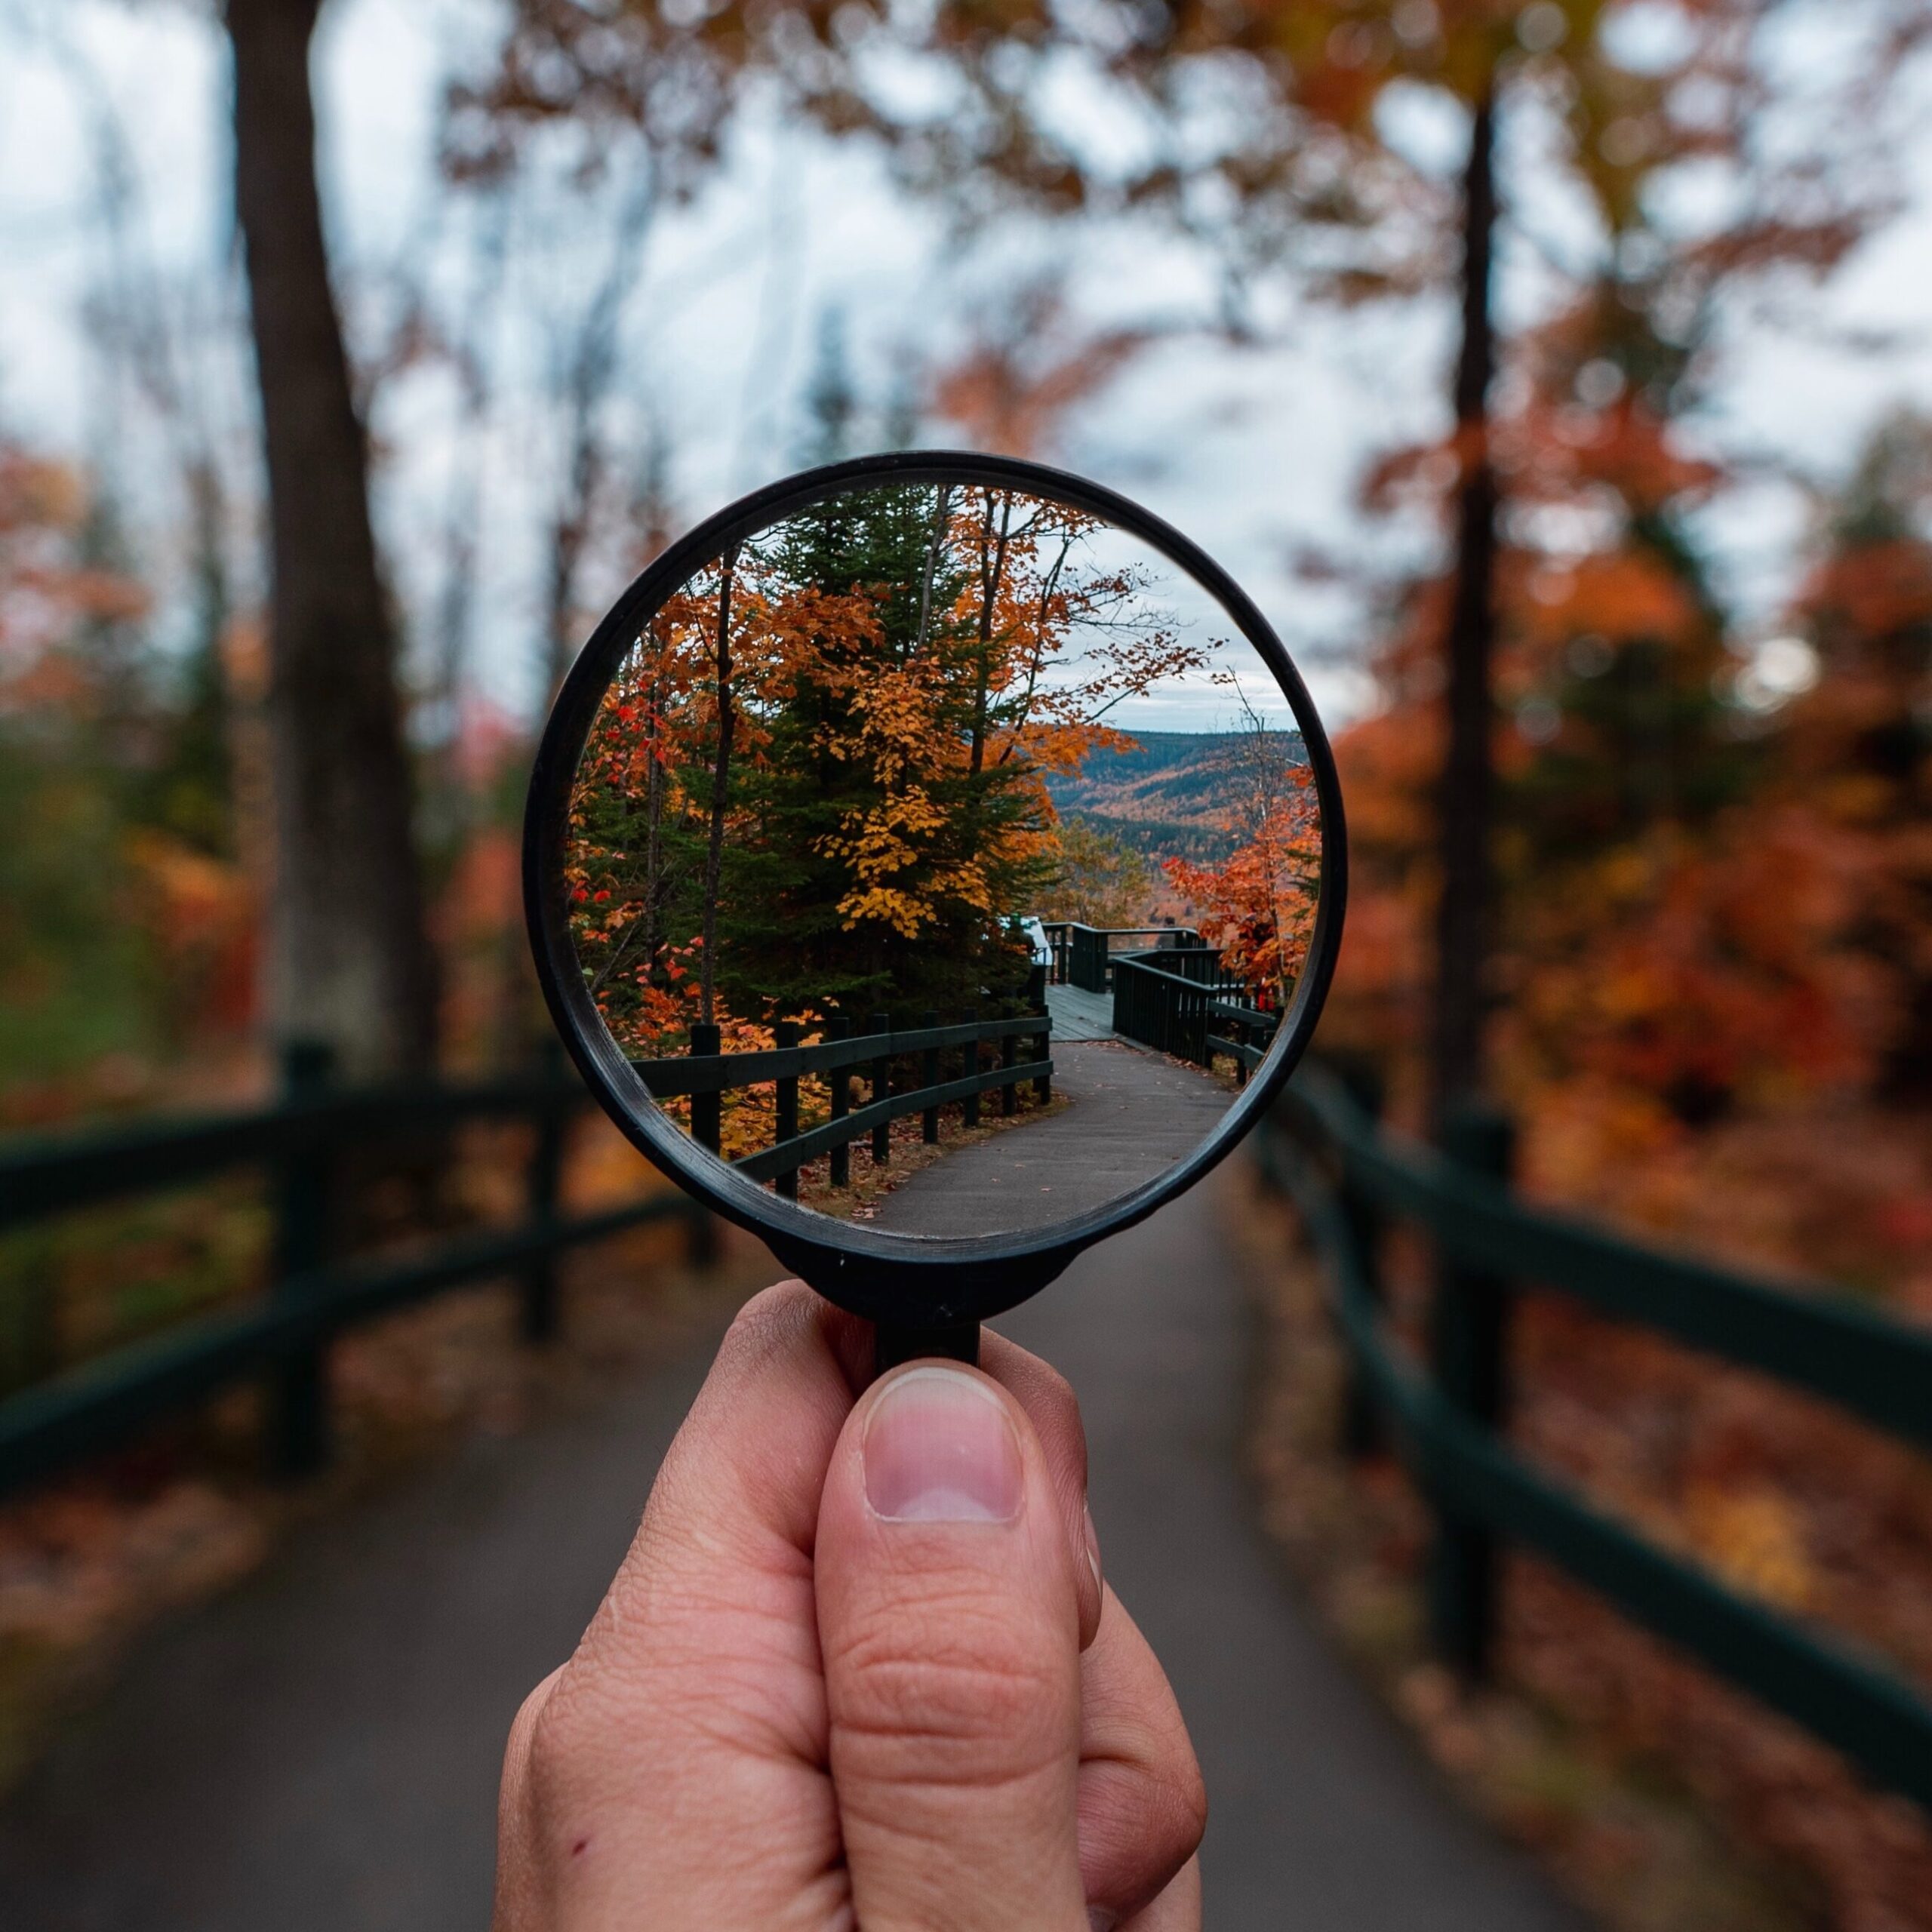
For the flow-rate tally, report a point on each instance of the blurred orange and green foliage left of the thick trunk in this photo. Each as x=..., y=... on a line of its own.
x=125, y=926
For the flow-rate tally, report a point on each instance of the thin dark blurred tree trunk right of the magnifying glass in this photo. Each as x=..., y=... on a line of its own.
x=1467, y=785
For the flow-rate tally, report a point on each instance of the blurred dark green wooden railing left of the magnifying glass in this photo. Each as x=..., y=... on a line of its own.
x=300, y=1143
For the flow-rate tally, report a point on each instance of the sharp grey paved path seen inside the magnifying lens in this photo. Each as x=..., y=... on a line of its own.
x=1129, y=1116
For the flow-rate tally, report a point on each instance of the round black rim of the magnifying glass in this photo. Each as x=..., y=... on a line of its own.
x=890, y=1276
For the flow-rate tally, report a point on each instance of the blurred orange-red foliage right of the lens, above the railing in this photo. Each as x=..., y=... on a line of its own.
x=1715, y=892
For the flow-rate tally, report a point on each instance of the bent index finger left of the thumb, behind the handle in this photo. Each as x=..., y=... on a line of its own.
x=679, y=1755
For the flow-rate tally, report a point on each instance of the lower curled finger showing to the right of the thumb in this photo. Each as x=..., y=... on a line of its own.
x=1143, y=1807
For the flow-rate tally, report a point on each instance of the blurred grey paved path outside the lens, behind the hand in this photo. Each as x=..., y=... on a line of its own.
x=318, y=1753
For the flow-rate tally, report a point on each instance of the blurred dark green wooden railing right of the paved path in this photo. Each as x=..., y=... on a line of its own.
x=1446, y=1417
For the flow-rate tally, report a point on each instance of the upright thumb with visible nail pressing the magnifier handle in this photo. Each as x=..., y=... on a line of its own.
x=950, y=1624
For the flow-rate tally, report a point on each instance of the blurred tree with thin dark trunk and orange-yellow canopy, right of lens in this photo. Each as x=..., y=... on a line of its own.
x=1322, y=163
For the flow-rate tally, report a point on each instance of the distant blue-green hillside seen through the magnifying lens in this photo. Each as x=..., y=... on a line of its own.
x=1170, y=795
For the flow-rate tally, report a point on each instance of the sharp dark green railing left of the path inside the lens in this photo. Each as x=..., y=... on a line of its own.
x=706, y=1075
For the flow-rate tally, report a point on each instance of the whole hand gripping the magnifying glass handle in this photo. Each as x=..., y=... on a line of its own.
x=857, y=1670
